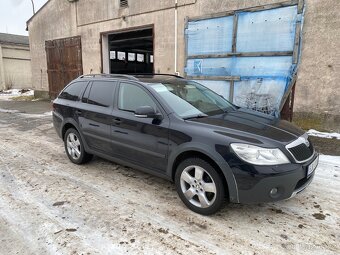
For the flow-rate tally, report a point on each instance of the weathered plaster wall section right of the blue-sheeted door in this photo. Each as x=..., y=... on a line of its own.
x=318, y=84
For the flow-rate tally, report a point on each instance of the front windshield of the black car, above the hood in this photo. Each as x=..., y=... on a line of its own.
x=189, y=99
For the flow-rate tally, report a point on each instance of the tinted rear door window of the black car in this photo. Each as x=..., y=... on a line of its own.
x=100, y=93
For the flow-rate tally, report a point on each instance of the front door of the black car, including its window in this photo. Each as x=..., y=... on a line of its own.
x=142, y=141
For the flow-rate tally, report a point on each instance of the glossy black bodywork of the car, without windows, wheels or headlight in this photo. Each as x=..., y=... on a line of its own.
x=155, y=145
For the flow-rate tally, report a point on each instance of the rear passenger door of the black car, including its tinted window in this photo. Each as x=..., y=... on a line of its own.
x=95, y=112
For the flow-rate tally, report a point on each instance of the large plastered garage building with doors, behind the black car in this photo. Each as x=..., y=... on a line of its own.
x=248, y=51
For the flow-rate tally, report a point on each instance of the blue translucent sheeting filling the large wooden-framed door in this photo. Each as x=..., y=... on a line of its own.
x=263, y=80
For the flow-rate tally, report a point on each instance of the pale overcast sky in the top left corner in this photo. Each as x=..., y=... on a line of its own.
x=15, y=13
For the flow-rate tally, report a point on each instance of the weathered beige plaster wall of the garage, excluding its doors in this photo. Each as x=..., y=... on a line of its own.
x=318, y=78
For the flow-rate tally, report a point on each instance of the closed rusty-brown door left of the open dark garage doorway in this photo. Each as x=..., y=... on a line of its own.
x=64, y=63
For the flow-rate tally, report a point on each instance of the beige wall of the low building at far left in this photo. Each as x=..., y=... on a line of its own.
x=15, y=67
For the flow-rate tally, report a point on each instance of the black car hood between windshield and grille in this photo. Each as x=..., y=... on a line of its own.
x=254, y=123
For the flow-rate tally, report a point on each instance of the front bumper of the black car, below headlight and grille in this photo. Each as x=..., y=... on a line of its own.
x=256, y=182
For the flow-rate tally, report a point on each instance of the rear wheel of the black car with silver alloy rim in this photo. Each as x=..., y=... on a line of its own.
x=74, y=147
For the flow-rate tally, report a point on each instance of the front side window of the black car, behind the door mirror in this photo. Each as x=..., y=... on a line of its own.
x=131, y=97
